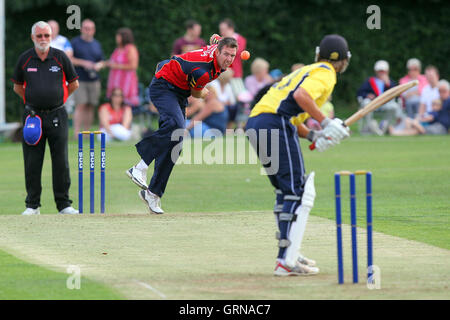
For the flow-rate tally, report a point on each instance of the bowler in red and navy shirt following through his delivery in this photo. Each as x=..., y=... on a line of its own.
x=175, y=80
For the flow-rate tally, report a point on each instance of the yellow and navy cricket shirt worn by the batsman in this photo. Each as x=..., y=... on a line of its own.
x=318, y=79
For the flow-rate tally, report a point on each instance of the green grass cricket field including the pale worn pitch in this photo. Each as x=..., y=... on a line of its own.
x=216, y=240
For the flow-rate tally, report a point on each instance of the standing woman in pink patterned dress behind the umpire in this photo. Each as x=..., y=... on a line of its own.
x=123, y=64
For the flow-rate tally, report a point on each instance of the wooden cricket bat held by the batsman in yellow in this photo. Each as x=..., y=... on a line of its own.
x=376, y=103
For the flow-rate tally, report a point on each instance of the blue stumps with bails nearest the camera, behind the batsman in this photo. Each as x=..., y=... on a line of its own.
x=337, y=184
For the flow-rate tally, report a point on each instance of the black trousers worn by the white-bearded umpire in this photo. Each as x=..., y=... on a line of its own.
x=55, y=131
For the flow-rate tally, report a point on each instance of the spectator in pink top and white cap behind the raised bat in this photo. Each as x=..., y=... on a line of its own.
x=411, y=97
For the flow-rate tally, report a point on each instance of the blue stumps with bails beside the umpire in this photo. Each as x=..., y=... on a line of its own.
x=92, y=169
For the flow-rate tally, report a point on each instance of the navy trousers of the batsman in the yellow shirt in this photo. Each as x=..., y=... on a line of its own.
x=275, y=139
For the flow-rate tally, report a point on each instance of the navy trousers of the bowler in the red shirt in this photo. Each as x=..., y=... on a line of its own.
x=159, y=146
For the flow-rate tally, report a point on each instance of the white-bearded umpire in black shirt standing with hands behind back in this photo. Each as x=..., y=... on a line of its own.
x=44, y=77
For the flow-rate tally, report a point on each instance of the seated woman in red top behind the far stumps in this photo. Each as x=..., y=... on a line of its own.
x=115, y=117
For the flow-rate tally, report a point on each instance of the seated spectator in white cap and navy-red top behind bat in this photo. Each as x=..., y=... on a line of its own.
x=373, y=87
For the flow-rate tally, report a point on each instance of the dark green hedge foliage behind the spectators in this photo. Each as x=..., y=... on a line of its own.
x=283, y=32
